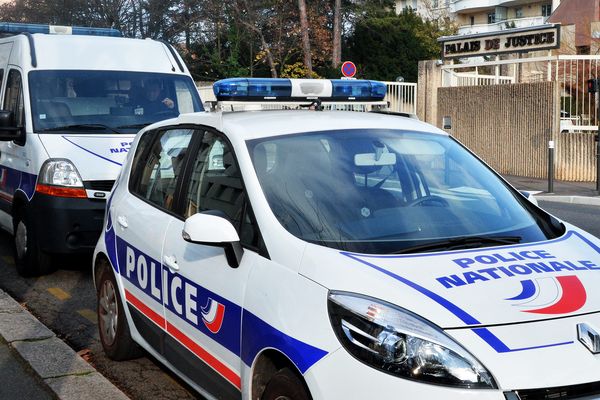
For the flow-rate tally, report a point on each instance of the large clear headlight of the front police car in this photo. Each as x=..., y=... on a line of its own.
x=400, y=343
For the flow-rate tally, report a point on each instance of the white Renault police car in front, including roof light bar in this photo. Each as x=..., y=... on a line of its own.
x=300, y=254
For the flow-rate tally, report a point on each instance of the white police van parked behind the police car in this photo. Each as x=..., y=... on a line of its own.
x=71, y=101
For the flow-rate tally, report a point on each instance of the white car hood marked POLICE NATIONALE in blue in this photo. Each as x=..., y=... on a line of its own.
x=473, y=287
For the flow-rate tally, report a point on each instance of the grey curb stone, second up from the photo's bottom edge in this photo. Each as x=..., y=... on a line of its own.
x=52, y=357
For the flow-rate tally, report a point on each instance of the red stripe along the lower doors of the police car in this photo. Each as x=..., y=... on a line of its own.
x=200, y=352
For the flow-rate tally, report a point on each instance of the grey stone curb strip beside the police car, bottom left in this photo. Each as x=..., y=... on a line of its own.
x=59, y=367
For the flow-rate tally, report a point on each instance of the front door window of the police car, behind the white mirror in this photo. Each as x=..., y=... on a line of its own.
x=216, y=184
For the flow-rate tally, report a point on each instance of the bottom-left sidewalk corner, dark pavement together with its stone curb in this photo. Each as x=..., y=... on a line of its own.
x=42, y=363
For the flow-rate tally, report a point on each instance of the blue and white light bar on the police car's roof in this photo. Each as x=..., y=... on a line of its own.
x=272, y=89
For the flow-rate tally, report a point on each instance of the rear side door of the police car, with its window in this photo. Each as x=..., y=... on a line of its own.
x=141, y=219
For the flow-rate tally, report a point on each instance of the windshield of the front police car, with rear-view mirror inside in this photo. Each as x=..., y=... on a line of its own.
x=388, y=191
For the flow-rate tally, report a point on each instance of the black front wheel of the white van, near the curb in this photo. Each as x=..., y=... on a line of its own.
x=30, y=260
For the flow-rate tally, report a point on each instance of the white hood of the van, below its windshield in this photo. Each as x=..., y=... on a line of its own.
x=96, y=156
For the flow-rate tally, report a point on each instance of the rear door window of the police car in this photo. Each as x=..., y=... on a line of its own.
x=161, y=166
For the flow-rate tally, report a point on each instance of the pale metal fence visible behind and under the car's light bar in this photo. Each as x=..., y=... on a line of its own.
x=401, y=97
